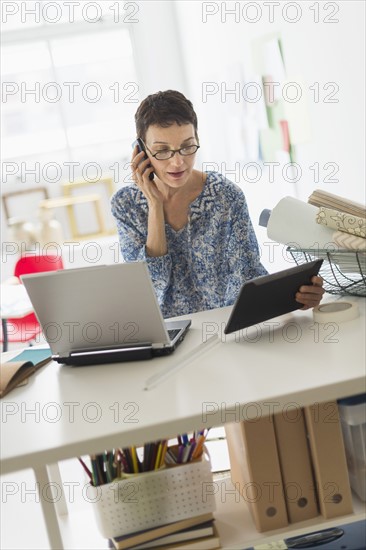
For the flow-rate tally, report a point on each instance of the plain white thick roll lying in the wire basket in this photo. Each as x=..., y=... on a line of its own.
x=293, y=222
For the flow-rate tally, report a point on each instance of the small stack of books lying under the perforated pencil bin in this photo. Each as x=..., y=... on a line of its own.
x=198, y=533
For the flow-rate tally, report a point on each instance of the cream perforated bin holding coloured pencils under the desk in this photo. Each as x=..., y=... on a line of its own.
x=155, y=498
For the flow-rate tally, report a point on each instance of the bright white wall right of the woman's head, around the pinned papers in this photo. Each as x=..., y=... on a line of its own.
x=217, y=48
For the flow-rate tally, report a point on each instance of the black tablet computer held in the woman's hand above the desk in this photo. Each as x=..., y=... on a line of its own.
x=270, y=296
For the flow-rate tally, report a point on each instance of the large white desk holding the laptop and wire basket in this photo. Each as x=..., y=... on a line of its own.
x=288, y=359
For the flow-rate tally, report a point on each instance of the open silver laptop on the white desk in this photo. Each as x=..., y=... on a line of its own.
x=102, y=314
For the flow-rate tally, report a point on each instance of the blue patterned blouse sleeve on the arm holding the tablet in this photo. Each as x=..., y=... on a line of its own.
x=242, y=252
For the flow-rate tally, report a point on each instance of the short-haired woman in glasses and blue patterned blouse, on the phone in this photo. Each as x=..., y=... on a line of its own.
x=191, y=227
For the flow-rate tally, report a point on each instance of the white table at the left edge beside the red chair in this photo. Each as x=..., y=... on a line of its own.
x=15, y=304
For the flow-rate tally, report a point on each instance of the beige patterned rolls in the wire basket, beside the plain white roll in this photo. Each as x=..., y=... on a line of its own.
x=347, y=218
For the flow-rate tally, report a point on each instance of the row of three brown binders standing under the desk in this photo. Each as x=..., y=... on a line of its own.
x=291, y=465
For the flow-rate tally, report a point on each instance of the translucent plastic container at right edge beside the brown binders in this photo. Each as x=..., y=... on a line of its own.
x=352, y=413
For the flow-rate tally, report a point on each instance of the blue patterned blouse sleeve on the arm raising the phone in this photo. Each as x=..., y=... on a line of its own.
x=132, y=232
